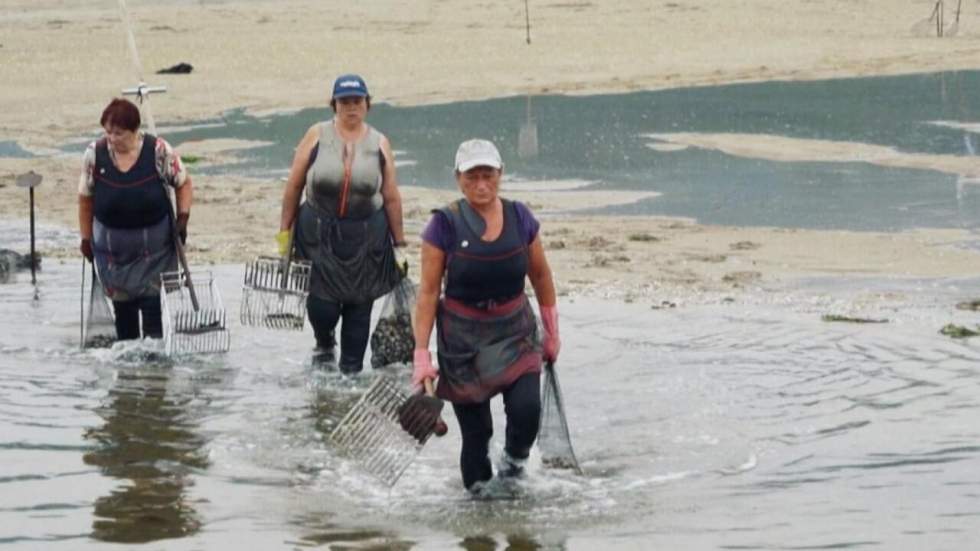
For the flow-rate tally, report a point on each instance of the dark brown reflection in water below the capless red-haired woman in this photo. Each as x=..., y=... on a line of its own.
x=148, y=440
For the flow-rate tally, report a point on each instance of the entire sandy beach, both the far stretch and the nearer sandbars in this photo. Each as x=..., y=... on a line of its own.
x=61, y=61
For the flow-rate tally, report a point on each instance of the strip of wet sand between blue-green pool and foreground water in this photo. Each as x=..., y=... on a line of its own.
x=627, y=258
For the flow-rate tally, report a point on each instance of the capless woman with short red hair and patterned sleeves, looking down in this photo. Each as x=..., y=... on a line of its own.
x=126, y=218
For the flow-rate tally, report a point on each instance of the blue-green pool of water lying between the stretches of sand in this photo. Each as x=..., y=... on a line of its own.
x=603, y=139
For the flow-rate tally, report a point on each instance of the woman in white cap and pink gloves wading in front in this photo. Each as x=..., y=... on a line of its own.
x=487, y=339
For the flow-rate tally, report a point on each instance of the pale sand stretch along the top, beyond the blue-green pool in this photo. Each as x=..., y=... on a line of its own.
x=62, y=60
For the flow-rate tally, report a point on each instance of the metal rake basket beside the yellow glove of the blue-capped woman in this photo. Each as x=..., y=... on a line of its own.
x=274, y=293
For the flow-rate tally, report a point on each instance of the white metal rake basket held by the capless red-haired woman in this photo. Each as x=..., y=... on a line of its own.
x=194, y=319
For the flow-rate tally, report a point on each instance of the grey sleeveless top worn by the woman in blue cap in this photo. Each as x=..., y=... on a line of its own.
x=345, y=179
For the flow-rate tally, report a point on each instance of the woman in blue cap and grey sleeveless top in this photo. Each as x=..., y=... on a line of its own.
x=349, y=223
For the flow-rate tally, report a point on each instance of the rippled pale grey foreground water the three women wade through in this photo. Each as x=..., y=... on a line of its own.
x=745, y=424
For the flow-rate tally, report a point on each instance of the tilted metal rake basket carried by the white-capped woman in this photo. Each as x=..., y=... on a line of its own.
x=371, y=435
